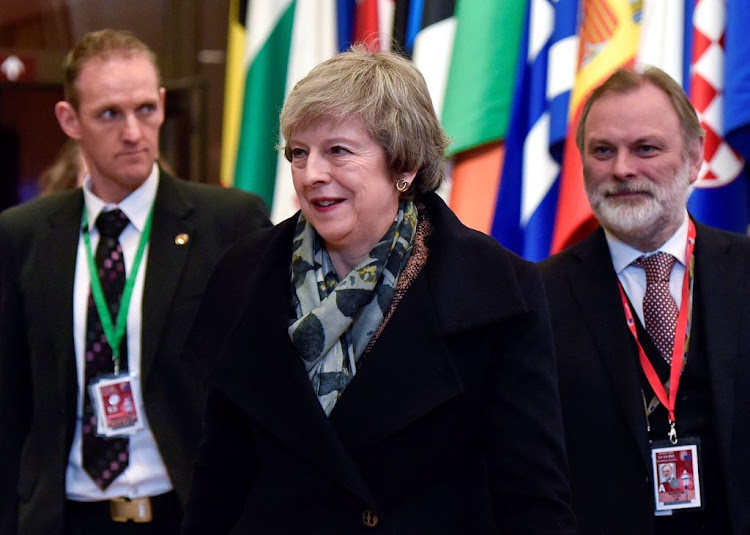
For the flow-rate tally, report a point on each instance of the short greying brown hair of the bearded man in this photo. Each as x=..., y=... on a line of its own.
x=625, y=80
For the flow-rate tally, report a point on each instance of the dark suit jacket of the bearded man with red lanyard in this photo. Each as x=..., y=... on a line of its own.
x=605, y=424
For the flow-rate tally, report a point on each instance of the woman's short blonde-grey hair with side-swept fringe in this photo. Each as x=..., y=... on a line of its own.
x=389, y=96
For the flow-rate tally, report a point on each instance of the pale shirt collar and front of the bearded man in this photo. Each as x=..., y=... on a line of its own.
x=633, y=279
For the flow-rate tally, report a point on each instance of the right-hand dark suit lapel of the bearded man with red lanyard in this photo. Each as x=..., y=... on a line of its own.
x=714, y=272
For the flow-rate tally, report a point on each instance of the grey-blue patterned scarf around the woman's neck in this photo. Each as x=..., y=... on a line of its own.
x=336, y=319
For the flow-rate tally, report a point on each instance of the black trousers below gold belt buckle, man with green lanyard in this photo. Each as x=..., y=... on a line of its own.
x=94, y=518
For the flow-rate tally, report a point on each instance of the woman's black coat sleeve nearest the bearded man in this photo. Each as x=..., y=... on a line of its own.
x=528, y=469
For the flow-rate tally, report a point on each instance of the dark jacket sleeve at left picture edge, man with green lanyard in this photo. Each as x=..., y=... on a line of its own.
x=15, y=386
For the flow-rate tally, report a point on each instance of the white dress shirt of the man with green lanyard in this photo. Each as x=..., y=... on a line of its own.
x=146, y=474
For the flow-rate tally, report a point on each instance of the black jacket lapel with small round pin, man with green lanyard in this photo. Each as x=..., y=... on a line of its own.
x=164, y=266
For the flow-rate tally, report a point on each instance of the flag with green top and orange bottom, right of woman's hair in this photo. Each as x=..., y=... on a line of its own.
x=477, y=102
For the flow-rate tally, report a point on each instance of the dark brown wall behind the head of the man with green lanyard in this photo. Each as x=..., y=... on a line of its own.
x=189, y=36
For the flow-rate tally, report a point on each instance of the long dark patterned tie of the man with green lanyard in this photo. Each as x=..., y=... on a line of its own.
x=104, y=458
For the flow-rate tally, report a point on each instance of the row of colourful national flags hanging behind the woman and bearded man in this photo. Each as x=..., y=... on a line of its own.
x=508, y=80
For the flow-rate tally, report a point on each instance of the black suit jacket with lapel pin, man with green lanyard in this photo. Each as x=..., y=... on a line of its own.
x=38, y=388
